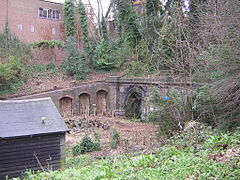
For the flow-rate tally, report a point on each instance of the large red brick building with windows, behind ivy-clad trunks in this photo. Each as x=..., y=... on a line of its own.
x=34, y=20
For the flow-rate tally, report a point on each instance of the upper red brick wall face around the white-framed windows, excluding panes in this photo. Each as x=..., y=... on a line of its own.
x=25, y=13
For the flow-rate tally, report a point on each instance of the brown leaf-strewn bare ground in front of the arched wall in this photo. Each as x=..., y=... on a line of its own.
x=135, y=137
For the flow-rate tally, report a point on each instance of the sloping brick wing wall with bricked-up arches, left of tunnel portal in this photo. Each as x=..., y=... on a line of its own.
x=68, y=100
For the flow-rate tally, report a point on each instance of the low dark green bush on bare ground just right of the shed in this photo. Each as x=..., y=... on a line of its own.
x=86, y=145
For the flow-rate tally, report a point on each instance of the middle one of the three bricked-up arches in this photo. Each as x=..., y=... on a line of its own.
x=84, y=104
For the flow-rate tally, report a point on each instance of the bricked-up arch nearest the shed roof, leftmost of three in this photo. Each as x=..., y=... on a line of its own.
x=66, y=106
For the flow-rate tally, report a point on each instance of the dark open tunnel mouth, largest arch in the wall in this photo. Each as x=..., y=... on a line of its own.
x=134, y=105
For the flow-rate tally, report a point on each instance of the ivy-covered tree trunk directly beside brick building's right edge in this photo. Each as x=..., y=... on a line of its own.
x=69, y=19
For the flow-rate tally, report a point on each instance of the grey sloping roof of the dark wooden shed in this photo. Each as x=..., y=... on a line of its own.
x=29, y=117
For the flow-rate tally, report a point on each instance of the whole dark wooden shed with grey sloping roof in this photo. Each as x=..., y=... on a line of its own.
x=32, y=136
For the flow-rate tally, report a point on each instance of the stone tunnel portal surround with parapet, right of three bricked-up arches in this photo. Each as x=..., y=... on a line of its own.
x=122, y=88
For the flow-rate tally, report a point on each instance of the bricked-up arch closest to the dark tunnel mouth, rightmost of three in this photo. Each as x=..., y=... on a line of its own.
x=101, y=102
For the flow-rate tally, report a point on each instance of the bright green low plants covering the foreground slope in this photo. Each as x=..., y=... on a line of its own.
x=170, y=162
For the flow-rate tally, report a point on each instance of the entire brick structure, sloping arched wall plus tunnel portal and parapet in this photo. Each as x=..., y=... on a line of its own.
x=109, y=96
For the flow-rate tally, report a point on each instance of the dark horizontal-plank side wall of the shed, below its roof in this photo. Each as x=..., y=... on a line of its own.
x=36, y=153
